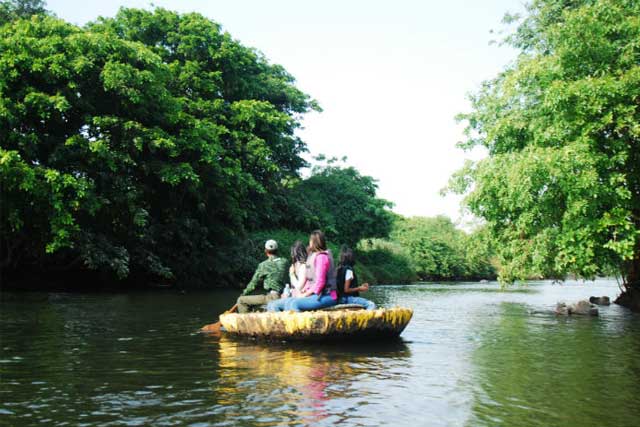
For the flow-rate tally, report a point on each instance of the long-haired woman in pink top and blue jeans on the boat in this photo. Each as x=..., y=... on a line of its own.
x=320, y=289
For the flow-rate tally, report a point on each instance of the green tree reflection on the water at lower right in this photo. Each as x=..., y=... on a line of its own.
x=547, y=371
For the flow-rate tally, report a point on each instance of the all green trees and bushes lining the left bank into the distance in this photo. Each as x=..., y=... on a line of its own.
x=153, y=147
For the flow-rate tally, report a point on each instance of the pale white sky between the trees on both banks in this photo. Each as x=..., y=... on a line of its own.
x=390, y=77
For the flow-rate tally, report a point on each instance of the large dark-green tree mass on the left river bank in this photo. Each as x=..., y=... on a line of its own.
x=142, y=144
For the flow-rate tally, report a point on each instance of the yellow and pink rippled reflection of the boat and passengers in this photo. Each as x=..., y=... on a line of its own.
x=294, y=383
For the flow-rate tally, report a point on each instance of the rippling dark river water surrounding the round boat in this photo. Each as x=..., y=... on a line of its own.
x=473, y=355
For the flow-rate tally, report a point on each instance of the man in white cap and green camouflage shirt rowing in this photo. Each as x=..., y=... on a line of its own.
x=271, y=274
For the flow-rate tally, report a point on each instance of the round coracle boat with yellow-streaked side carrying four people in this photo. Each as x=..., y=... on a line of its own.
x=339, y=323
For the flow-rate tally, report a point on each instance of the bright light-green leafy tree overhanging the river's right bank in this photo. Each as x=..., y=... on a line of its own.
x=560, y=189
